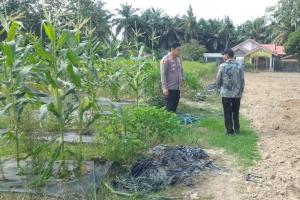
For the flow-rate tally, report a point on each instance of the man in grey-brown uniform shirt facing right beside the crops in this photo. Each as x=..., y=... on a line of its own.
x=171, y=77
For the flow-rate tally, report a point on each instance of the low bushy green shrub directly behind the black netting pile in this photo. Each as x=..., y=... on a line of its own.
x=130, y=134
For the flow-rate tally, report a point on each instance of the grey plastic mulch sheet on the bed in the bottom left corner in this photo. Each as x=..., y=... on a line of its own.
x=81, y=186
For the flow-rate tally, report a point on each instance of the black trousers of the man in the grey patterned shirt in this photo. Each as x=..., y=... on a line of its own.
x=231, y=108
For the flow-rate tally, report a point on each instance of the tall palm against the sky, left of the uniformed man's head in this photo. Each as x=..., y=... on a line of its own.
x=126, y=20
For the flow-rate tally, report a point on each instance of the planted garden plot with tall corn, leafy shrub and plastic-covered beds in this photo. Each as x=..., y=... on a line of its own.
x=58, y=84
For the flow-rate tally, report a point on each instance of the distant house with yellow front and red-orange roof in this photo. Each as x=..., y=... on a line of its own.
x=269, y=57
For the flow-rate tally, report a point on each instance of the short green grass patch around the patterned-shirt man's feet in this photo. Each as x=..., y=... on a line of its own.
x=210, y=132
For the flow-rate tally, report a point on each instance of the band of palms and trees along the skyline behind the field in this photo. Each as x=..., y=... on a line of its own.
x=156, y=29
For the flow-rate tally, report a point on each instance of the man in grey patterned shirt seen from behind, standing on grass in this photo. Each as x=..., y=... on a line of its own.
x=230, y=81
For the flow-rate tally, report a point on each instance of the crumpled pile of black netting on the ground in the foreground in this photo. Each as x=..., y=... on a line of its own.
x=167, y=166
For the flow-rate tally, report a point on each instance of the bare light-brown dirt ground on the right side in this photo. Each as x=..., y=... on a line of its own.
x=272, y=103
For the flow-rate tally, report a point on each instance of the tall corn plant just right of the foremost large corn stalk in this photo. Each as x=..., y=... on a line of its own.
x=83, y=58
